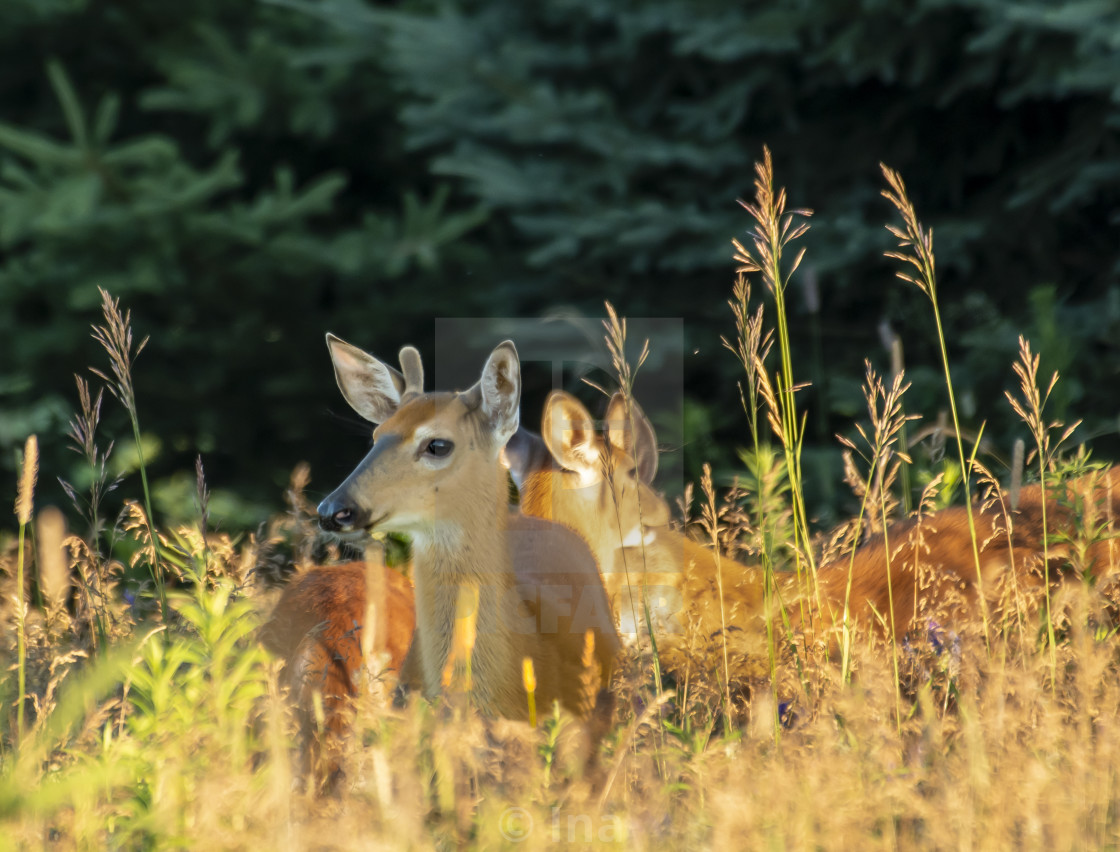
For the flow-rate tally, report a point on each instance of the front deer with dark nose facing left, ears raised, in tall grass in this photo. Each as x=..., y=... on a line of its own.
x=434, y=474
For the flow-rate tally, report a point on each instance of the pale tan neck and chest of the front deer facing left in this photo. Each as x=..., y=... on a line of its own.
x=469, y=550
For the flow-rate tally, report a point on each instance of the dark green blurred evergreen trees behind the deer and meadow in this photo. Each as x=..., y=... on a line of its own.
x=247, y=176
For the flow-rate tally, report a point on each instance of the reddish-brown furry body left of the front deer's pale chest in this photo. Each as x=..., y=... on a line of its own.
x=316, y=629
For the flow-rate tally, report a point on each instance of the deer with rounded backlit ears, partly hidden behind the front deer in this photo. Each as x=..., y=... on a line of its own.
x=601, y=488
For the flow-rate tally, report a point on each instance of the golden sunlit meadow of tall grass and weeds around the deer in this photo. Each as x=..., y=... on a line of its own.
x=139, y=710
